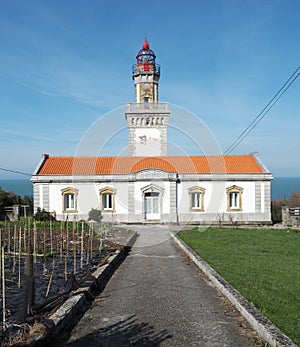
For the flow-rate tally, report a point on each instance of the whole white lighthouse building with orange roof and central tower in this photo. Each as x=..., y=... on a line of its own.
x=148, y=185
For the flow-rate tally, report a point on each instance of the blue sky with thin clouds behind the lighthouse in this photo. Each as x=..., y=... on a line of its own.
x=64, y=64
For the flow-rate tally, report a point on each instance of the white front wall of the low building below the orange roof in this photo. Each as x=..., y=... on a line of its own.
x=215, y=198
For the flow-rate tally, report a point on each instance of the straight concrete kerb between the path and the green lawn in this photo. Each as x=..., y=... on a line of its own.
x=267, y=330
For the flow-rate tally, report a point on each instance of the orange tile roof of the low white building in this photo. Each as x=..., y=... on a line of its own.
x=124, y=165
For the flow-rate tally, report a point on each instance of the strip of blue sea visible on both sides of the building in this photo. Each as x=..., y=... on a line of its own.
x=282, y=187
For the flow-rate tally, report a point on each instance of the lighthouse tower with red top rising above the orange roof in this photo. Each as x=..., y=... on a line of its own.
x=147, y=119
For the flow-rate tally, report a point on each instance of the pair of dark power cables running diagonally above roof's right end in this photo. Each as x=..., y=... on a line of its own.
x=264, y=111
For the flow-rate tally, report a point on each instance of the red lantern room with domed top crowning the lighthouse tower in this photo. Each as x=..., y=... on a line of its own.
x=145, y=61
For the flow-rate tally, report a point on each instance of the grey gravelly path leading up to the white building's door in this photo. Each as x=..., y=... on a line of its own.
x=157, y=298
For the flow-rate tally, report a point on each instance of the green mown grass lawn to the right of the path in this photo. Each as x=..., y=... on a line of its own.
x=263, y=265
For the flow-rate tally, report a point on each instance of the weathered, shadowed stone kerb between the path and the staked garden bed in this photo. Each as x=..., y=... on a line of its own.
x=60, y=318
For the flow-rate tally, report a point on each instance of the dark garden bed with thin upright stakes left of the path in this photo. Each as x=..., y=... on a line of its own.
x=54, y=276
